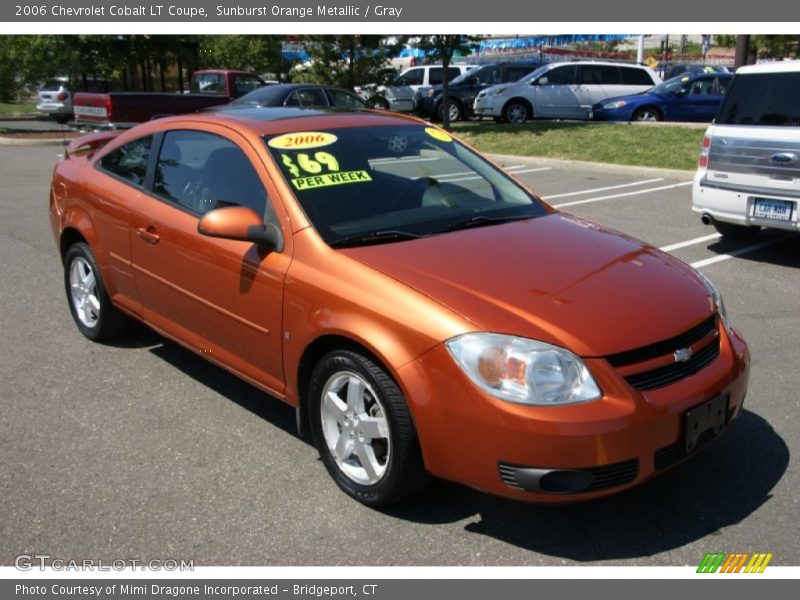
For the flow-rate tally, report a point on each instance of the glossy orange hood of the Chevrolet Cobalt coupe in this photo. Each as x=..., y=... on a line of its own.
x=556, y=278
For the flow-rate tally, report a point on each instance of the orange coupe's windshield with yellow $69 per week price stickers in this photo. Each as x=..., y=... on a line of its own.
x=357, y=184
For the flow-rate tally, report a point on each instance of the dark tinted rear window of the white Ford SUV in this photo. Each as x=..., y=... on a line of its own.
x=762, y=99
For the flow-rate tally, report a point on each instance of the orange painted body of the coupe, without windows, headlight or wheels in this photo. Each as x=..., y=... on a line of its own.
x=558, y=279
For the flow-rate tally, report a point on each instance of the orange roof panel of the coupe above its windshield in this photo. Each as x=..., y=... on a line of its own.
x=269, y=120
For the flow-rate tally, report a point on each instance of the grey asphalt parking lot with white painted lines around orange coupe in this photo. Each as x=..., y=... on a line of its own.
x=143, y=450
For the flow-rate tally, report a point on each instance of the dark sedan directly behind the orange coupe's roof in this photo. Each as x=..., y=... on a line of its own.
x=297, y=95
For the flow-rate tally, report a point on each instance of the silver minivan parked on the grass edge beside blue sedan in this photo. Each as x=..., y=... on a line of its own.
x=563, y=90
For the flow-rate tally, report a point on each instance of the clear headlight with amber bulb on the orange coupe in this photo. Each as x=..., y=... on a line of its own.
x=522, y=370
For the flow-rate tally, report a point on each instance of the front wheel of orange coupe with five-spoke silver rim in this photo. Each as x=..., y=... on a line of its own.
x=348, y=392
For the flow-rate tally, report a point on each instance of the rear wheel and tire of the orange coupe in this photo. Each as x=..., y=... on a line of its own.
x=91, y=308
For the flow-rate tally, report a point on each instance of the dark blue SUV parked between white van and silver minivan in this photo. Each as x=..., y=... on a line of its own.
x=463, y=90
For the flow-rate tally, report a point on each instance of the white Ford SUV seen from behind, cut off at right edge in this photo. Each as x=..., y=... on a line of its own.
x=748, y=174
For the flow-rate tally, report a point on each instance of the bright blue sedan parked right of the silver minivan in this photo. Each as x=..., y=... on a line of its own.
x=687, y=97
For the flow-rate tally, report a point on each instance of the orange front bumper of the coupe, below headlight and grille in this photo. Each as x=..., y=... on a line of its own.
x=622, y=440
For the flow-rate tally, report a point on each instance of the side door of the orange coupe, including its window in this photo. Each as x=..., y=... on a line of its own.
x=221, y=298
